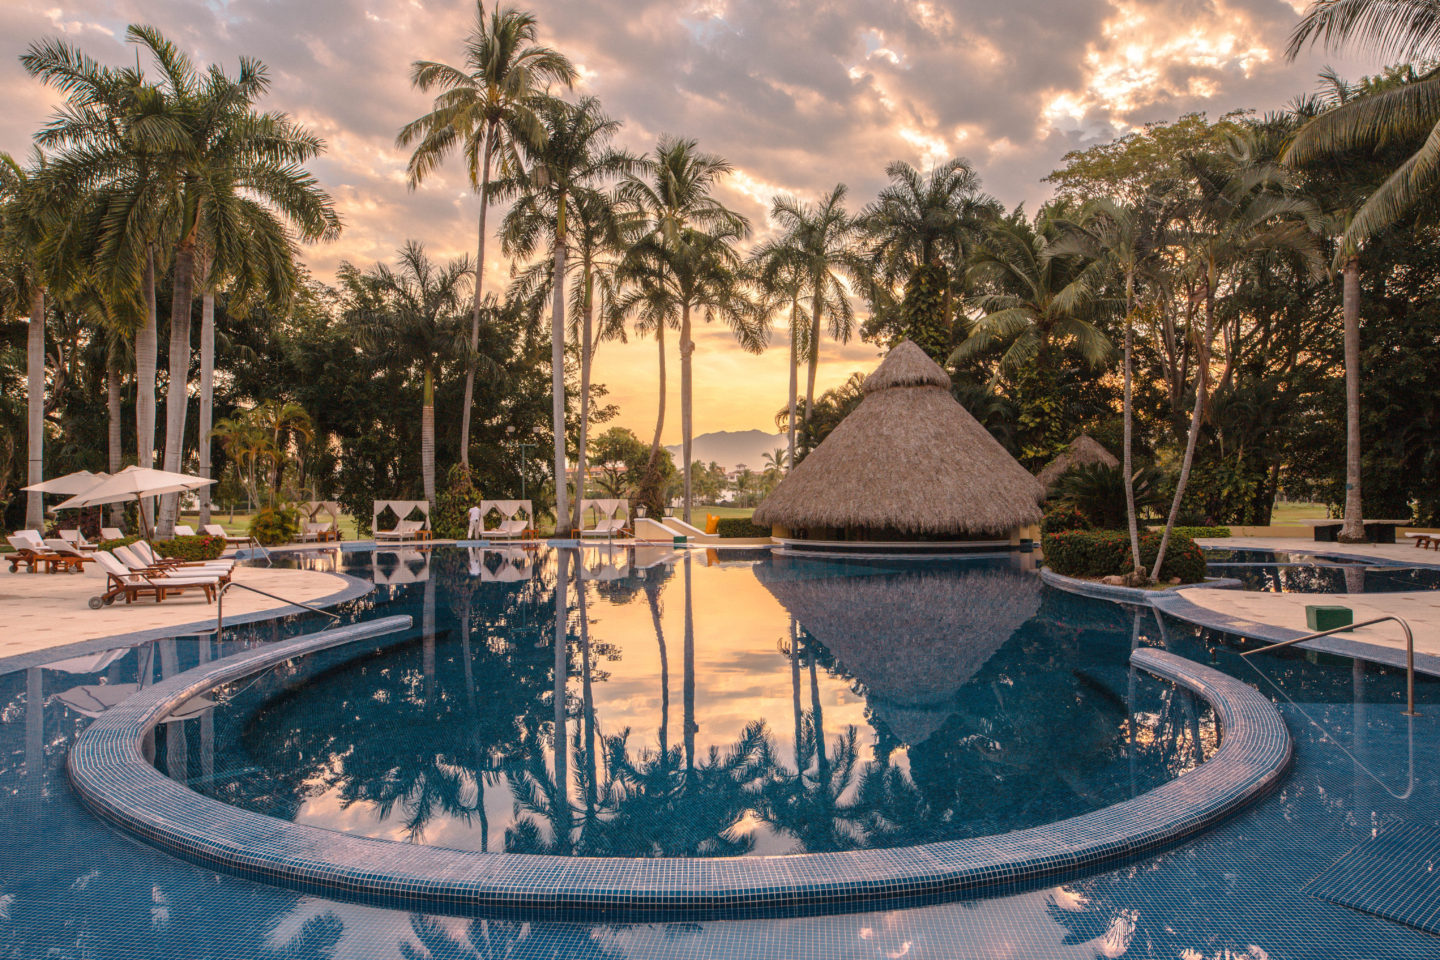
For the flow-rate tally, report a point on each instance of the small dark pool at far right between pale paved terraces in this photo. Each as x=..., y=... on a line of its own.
x=1297, y=572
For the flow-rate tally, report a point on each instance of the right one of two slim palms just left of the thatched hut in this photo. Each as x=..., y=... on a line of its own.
x=823, y=238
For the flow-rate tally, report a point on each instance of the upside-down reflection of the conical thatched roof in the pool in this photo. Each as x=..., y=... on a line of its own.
x=914, y=634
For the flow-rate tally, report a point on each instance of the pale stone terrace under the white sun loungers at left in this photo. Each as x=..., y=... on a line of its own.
x=51, y=610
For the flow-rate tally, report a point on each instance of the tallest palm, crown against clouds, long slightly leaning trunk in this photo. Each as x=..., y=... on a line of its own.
x=486, y=109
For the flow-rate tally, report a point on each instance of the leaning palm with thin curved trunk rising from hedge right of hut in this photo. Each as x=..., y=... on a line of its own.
x=1241, y=209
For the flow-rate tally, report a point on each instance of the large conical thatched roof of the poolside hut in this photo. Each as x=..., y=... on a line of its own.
x=909, y=460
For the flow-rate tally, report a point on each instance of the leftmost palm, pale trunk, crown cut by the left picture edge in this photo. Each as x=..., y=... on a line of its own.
x=25, y=231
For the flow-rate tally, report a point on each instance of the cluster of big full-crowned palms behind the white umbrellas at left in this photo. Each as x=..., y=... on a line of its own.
x=139, y=175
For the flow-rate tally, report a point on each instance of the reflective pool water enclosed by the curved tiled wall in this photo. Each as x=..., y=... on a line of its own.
x=696, y=707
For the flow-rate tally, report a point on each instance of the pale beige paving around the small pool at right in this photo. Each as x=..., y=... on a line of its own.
x=1287, y=611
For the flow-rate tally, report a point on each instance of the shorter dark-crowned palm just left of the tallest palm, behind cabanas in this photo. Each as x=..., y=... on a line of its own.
x=411, y=319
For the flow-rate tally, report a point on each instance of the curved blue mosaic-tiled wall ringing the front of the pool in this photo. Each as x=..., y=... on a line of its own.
x=110, y=774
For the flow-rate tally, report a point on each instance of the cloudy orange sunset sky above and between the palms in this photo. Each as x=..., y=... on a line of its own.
x=798, y=96
